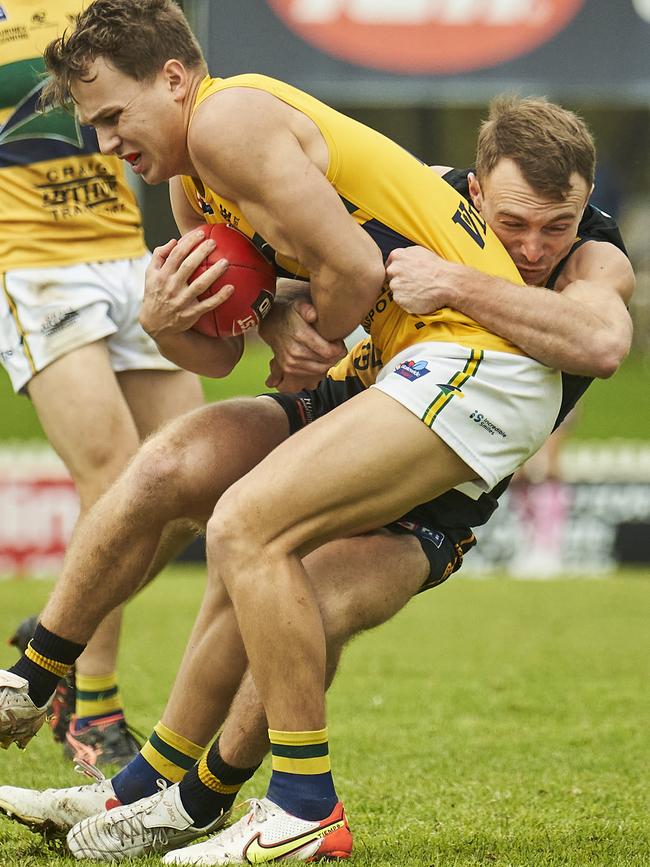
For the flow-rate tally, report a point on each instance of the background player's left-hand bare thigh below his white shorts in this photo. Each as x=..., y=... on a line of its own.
x=85, y=416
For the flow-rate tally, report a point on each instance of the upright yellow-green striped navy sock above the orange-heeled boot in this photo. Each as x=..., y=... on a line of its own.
x=301, y=782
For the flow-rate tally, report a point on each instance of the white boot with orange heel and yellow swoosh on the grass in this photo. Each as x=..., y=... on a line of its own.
x=269, y=833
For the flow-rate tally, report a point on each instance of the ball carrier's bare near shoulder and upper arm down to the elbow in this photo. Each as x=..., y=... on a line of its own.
x=260, y=153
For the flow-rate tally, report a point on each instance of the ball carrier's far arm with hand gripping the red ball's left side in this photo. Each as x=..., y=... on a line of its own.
x=169, y=309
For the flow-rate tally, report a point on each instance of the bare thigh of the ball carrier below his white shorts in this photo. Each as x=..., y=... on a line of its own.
x=363, y=465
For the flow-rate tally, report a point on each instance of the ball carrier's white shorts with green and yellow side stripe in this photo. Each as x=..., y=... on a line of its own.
x=494, y=409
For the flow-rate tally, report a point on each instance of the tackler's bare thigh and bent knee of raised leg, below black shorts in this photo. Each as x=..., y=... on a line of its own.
x=198, y=456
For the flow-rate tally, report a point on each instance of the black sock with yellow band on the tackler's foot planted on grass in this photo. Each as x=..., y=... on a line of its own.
x=212, y=786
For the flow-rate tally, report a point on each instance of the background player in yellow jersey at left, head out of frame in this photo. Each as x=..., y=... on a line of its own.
x=72, y=265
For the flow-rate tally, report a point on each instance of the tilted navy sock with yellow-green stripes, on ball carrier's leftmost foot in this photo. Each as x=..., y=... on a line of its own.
x=165, y=756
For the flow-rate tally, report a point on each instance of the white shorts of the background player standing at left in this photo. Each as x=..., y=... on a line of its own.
x=46, y=313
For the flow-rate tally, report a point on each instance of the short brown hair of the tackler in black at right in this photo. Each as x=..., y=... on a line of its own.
x=547, y=142
